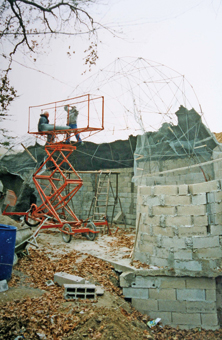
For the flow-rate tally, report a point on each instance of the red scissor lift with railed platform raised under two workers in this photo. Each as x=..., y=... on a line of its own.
x=56, y=179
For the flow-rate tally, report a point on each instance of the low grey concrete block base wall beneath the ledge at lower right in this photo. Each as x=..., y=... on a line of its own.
x=184, y=302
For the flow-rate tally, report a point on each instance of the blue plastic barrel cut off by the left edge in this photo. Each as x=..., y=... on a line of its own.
x=7, y=248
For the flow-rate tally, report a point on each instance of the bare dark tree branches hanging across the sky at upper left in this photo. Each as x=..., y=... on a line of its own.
x=23, y=19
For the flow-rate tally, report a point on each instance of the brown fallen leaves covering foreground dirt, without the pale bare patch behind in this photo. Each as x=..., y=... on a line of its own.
x=50, y=316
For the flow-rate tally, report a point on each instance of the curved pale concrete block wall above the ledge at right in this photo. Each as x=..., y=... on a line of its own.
x=181, y=227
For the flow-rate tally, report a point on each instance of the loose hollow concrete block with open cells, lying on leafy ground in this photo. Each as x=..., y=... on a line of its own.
x=80, y=291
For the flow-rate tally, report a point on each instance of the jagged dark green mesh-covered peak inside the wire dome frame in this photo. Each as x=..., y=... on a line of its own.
x=189, y=138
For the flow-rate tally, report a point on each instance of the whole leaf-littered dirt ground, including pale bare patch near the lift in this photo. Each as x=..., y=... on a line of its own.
x=31, y=309
